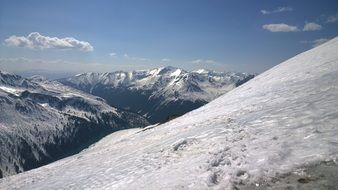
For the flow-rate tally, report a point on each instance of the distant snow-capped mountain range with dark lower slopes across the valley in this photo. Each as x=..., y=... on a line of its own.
x=159, y=93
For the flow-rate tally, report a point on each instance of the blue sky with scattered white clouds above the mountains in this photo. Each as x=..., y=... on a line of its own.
x=223, y=35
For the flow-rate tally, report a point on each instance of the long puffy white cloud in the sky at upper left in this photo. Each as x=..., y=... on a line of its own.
x=37, y=41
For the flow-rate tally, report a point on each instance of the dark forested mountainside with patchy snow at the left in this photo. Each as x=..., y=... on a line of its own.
x=41, y=121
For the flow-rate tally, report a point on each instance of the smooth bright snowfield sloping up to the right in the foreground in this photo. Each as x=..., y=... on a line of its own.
x=278, y=124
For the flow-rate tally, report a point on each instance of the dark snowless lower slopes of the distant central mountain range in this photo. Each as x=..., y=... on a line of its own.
x=141, y=102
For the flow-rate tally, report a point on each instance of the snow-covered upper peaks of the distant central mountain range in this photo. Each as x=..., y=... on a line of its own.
x=149, y=79
